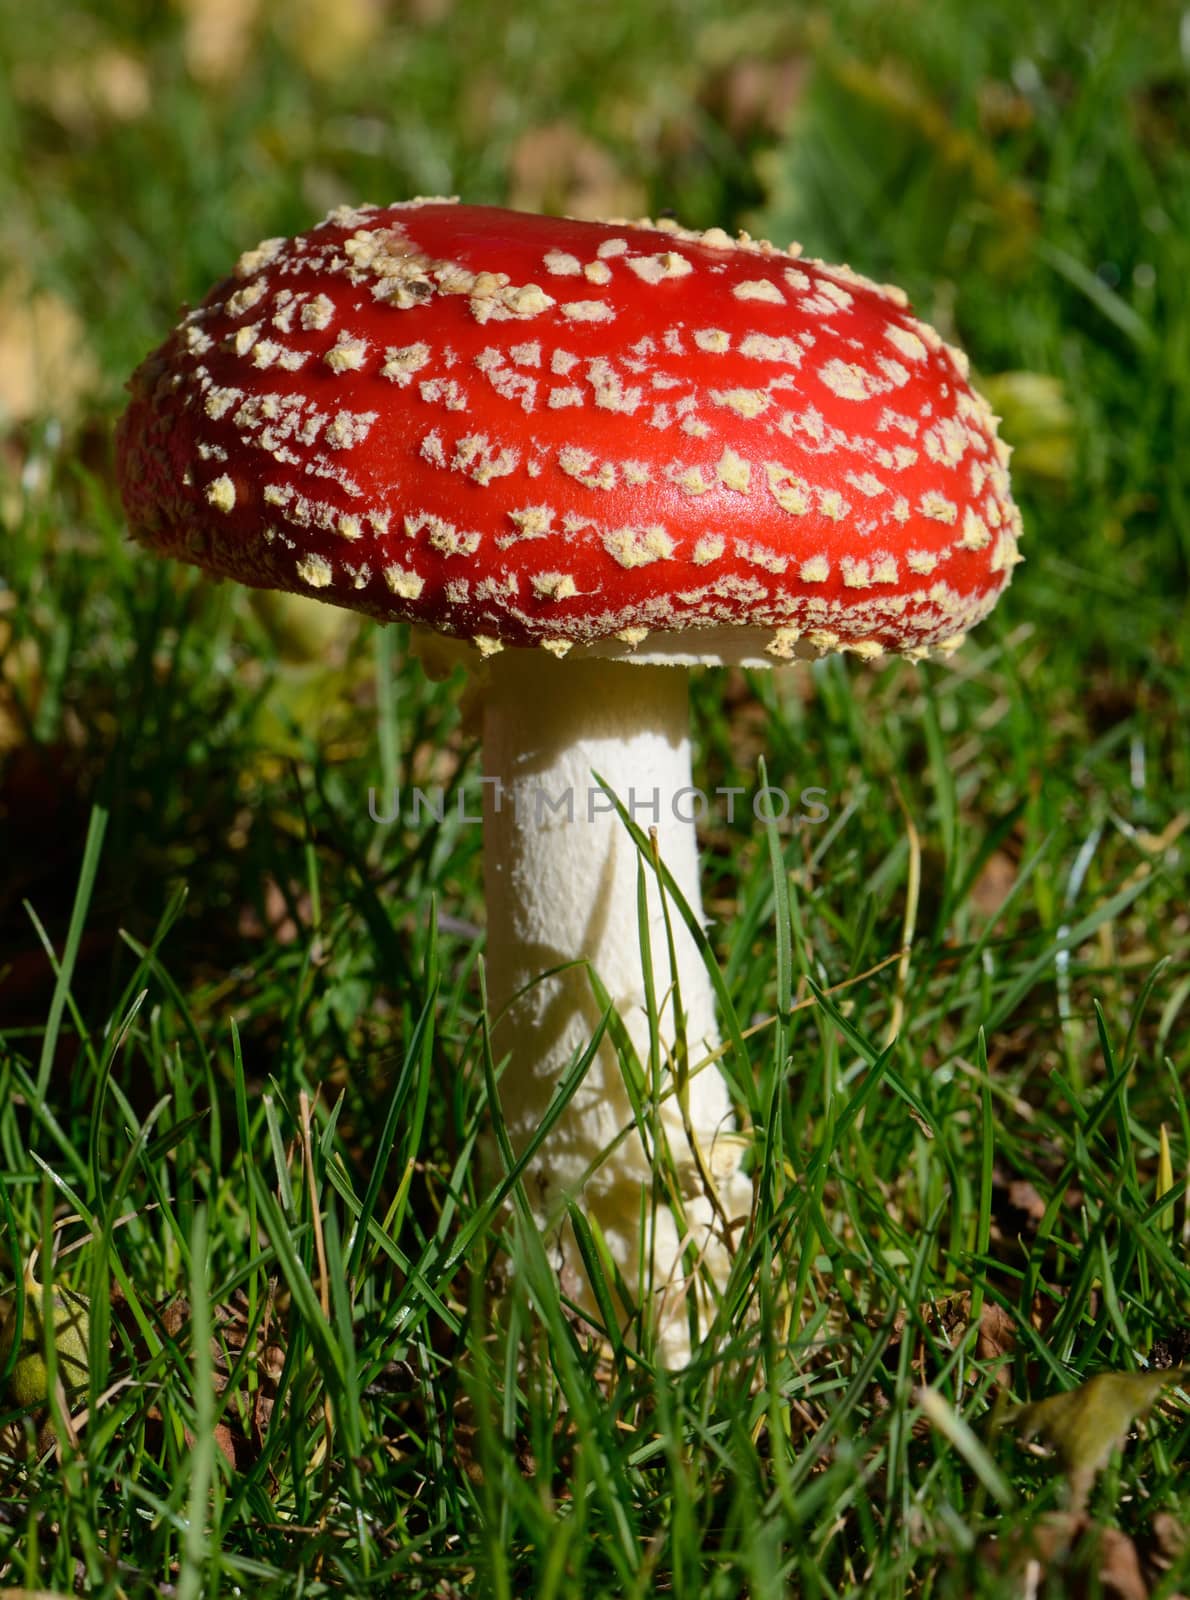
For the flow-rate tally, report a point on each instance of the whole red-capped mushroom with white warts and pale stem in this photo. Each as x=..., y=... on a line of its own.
x=588, y=455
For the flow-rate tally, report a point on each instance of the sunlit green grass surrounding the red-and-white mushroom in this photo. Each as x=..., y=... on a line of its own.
x=242, y=1058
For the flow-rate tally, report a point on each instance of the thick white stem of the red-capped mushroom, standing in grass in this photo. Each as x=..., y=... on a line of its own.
x=562, y=886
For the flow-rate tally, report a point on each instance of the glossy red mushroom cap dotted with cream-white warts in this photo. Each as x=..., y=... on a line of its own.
x=532, y=431
